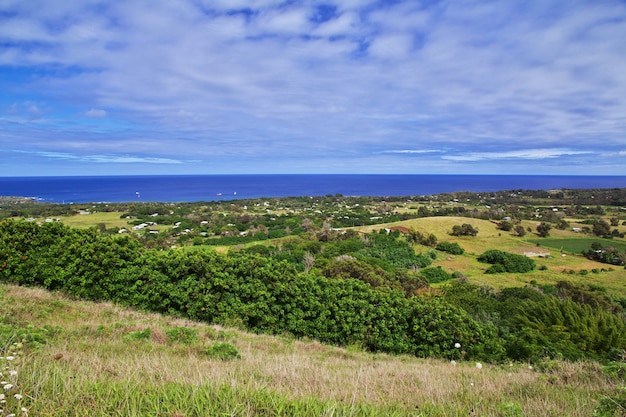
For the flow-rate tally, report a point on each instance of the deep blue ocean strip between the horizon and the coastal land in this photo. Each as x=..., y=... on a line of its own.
x=192, y=188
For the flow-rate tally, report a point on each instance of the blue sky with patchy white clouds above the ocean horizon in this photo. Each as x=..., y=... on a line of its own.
x=355, y=86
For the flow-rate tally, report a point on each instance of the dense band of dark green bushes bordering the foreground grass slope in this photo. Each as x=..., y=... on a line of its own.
x=340, y=300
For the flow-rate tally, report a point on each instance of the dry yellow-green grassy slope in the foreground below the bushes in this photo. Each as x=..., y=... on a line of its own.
x=94, y=359
